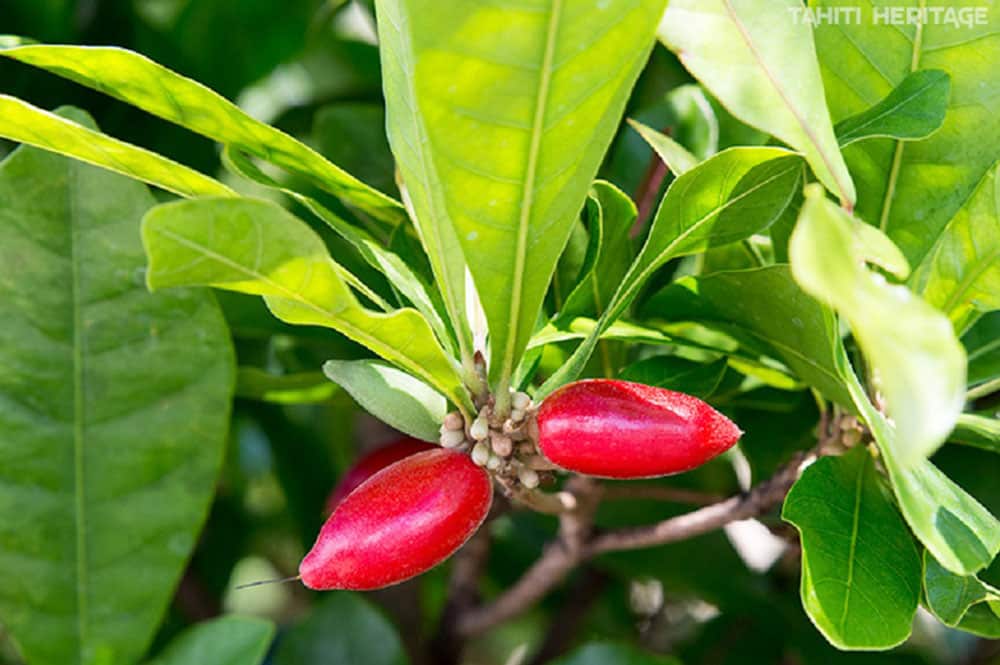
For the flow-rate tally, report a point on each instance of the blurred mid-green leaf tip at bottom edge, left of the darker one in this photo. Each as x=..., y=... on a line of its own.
x=228, y=640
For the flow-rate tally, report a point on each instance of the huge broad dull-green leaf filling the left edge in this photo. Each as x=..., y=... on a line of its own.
x=114, y=405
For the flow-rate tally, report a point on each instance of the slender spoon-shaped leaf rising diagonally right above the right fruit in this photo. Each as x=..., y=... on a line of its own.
x=729, y=197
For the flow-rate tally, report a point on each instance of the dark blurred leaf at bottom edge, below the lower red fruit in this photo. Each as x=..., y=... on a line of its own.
x=343, y=628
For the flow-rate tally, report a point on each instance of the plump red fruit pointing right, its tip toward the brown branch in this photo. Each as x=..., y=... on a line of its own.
x=619, y=429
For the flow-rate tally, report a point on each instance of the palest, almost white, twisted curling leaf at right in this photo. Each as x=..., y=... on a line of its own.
x=915, y=357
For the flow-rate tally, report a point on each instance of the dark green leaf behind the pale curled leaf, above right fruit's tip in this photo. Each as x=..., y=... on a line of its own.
x=767, y=311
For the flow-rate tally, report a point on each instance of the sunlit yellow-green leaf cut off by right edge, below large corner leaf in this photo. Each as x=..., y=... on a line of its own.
x=961, y=273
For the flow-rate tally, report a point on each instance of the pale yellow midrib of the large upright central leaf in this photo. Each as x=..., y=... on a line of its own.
x=528, y=193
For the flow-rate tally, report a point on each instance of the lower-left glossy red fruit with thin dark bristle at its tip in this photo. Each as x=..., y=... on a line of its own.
x=399, y=523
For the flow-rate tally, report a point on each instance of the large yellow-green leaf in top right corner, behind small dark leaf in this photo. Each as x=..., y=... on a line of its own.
x=910, y=189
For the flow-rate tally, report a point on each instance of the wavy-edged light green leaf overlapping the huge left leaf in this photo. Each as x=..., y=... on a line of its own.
x=257, y=247
